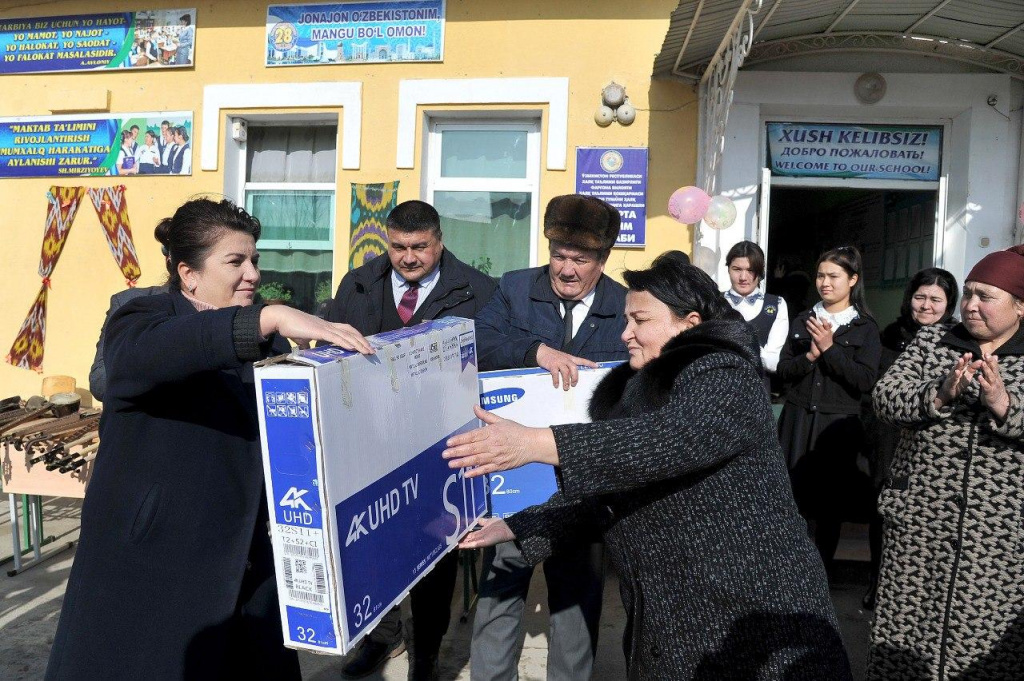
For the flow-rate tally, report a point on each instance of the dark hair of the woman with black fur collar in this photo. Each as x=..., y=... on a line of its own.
x=685, y=288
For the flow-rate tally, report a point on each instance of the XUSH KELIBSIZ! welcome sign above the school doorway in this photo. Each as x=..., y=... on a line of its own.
x=870, y=152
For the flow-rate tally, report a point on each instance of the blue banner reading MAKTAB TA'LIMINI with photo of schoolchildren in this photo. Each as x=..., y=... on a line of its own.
x=150, y=144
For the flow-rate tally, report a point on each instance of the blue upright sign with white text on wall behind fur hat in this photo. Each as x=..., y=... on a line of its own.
x=620, y=178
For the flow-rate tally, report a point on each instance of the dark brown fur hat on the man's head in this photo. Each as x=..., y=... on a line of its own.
x=580, y=222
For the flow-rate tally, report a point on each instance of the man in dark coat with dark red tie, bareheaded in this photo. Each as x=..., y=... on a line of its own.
x=417, y=280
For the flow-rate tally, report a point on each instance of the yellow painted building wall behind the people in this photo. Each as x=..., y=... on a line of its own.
x=591, y=42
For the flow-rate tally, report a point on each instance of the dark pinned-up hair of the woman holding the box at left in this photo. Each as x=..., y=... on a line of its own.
x=196, y=227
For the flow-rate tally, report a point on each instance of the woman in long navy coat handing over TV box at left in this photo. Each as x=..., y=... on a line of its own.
x=174, y=578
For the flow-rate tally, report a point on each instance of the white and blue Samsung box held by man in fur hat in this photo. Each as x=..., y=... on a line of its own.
x=530, y=398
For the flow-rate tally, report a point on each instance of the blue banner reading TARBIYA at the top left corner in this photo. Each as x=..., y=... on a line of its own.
x=88, y=42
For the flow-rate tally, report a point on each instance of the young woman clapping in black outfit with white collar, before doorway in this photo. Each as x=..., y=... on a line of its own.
x=830, y=364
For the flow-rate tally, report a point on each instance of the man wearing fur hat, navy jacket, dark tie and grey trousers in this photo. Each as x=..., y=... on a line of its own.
x=560, y=317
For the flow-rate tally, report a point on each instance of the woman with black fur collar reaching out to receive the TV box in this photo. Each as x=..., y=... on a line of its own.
x=682, y=472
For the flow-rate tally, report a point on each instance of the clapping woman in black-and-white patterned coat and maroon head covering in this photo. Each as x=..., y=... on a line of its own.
x=951, y=603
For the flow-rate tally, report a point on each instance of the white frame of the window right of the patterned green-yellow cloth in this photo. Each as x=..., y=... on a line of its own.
x=531, y=184
